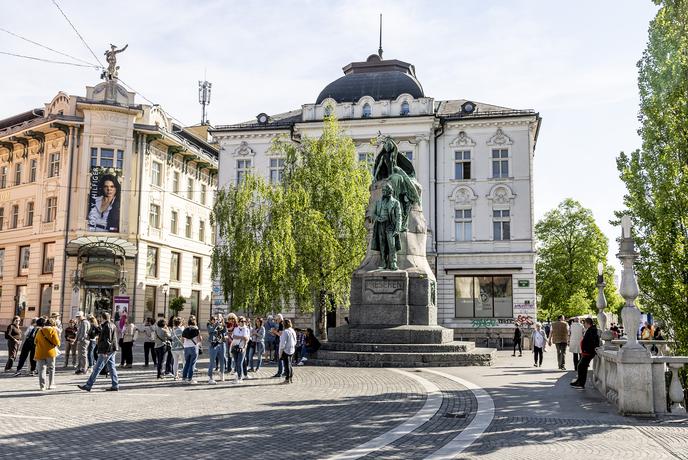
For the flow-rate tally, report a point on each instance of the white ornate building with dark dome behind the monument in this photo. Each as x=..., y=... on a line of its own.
x=473, y=160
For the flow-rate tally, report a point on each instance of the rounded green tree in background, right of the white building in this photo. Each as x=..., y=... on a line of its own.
x=570, y=245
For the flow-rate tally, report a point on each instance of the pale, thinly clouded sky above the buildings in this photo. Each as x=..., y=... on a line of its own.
x=573, y=62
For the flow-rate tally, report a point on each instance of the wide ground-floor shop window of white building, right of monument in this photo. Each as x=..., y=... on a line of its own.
x=483, y=296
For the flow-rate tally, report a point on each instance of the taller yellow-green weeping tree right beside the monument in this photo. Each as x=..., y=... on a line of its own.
x=327, y=190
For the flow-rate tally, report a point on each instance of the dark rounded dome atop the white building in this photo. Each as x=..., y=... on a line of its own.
x=377, y=78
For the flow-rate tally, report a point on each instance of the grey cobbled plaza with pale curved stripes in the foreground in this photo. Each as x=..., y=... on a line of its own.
x=511, y=410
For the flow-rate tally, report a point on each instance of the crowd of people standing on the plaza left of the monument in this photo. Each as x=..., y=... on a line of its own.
x=235, y=344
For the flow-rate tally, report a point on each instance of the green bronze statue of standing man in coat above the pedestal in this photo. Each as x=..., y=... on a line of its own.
x=387, y=217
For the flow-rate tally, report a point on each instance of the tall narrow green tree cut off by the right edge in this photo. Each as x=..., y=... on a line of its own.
x=656, y=176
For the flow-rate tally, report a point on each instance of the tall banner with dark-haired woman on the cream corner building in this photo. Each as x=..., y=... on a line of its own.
x=104, y=200
